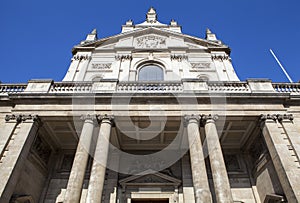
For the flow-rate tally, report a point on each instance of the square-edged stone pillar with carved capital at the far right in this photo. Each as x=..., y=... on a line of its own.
x=283, y=156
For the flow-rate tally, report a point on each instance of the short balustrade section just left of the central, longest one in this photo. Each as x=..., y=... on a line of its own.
x=71, y=87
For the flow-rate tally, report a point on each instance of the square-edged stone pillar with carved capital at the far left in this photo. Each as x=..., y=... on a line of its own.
x=17, y=150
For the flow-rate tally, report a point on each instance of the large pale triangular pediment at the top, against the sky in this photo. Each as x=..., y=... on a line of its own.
x=151, y=38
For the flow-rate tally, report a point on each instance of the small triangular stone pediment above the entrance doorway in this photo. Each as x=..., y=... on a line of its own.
x=153, y=179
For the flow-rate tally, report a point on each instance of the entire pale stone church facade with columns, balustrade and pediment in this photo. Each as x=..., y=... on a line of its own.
x=150, y=115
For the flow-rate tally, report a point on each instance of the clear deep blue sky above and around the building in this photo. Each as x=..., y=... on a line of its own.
x=37, y=35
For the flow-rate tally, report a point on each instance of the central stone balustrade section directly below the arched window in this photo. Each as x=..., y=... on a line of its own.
x=149, y=87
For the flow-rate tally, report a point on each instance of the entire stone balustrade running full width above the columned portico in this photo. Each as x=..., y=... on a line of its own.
x=165, y=86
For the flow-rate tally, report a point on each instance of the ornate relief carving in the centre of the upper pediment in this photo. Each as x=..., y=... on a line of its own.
x=150, y=41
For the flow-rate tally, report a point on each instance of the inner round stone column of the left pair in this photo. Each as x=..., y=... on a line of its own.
x=100, y=160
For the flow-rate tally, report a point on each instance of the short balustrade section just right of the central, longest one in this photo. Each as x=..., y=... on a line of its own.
x=229, y=87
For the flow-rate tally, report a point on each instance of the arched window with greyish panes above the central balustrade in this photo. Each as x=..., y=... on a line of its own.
x=151, y=72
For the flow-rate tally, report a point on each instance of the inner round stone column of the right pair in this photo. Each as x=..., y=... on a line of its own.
x=200, y=180
